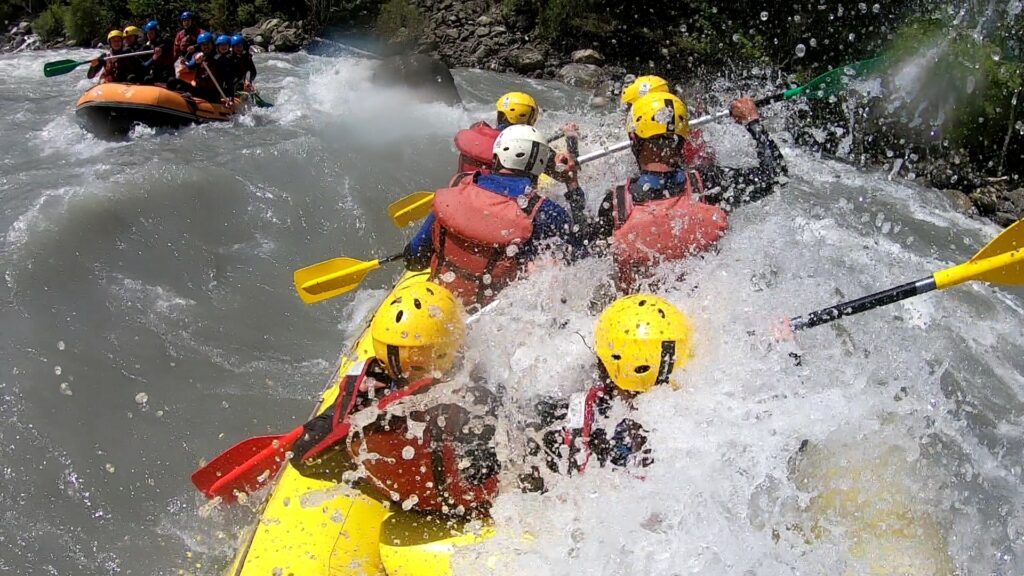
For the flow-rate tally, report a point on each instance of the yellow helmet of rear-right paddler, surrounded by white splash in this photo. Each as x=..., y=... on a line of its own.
x=642, y=340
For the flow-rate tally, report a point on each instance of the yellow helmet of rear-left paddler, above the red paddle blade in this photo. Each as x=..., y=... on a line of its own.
x=418, y=332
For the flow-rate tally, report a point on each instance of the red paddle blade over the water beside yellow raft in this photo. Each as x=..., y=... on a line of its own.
x=246, y=467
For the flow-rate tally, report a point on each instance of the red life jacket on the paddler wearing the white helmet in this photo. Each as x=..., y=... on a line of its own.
x=477, y=237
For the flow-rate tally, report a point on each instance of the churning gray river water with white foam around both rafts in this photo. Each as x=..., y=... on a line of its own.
x=149, y=322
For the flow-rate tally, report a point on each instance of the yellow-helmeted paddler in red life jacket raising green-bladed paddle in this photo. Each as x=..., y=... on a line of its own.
x=668, y=213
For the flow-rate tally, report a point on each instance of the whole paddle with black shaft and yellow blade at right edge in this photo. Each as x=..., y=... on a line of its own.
x=1002, y=262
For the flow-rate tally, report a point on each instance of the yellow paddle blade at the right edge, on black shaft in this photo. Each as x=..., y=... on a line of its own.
x=1001, y=262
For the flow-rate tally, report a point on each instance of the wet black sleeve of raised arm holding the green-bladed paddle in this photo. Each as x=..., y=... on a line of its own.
x=731, y=188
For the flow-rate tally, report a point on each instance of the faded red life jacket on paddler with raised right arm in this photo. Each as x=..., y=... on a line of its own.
x=649, y=232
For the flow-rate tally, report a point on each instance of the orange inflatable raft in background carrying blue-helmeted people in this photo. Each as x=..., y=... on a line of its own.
x=111, y=110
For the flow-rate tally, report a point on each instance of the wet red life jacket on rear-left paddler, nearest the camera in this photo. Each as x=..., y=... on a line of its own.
x=421, y=471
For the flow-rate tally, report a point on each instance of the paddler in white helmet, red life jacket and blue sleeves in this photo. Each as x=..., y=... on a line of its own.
x=486, y=229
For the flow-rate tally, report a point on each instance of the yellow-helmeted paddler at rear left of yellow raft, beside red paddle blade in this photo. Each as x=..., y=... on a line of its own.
x=399, y=433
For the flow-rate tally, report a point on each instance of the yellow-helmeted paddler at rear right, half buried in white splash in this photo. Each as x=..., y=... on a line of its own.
x=642, y=342
